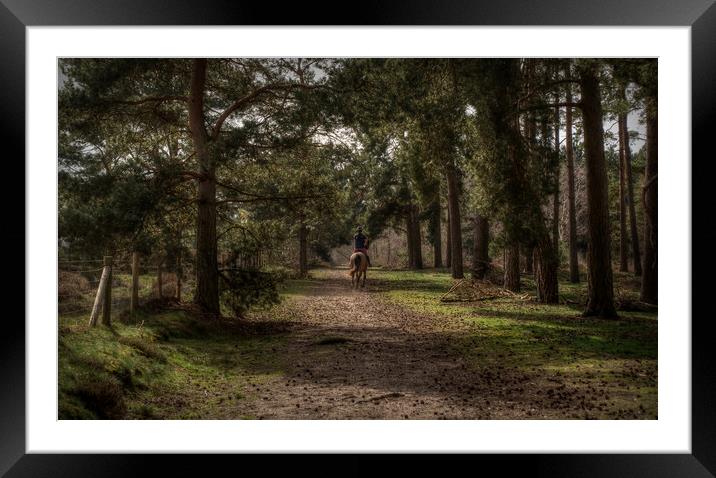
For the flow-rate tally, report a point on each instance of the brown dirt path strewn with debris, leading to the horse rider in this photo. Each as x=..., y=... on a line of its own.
x=353, y=355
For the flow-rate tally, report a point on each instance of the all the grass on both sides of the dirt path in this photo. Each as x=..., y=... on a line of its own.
x=168, y=364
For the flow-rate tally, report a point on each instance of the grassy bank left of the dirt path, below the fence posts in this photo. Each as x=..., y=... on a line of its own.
x=164, y=365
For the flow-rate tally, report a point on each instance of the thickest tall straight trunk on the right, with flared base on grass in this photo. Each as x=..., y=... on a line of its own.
x=600, y=286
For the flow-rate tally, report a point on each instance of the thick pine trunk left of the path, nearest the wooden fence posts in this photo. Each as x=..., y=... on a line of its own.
x=207, y=274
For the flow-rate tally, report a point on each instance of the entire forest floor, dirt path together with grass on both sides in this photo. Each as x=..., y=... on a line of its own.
x=390, y=351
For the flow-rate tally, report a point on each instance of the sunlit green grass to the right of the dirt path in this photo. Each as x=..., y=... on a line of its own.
x=619, y=357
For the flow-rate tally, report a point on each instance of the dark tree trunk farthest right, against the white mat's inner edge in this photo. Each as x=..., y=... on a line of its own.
x=649, y=280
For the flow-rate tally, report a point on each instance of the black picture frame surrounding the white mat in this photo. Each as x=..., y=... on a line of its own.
x=16, y=15
